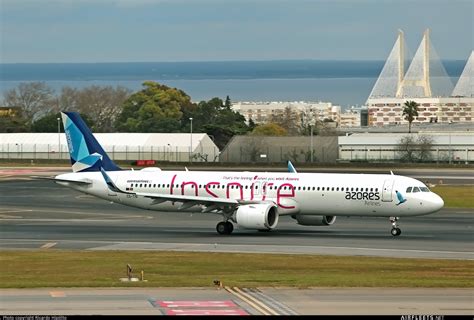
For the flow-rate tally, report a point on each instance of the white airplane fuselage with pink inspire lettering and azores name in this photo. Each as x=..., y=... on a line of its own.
x=331, y=194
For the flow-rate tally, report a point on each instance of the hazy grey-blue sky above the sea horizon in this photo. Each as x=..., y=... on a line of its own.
x=58, y=31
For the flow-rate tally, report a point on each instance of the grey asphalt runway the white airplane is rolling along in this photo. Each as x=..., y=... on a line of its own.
x=35, y=214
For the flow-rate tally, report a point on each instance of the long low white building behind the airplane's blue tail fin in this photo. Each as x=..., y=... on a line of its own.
x=119, y=146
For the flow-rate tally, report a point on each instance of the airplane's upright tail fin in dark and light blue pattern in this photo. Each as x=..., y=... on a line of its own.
x=86, y=153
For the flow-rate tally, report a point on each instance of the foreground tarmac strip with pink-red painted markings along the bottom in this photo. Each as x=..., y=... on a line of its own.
x=261, y=301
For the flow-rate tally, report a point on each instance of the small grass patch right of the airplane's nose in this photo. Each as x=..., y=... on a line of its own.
x=456, y=196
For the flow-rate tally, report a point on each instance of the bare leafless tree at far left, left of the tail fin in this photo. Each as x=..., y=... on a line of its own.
x=33, y=98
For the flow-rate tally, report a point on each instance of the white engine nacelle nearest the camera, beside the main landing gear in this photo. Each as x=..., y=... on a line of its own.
x=257, y=216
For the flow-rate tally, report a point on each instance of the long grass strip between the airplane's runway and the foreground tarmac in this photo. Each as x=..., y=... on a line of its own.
x=57, y=268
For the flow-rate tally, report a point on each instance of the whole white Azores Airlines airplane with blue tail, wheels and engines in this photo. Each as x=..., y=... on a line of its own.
x=252, y=200
